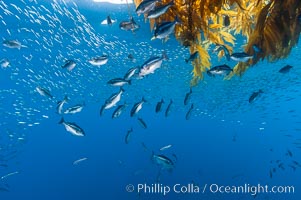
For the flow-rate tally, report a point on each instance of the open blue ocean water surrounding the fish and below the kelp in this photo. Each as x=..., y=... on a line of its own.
x=227, y=141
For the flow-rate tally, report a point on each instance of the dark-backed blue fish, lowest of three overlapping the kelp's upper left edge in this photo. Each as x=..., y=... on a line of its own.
x=165, y=29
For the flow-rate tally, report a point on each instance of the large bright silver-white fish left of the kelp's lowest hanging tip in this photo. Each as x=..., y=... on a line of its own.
x=151, y=65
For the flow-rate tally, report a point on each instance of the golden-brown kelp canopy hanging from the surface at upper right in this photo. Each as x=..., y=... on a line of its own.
x=272, y=25
